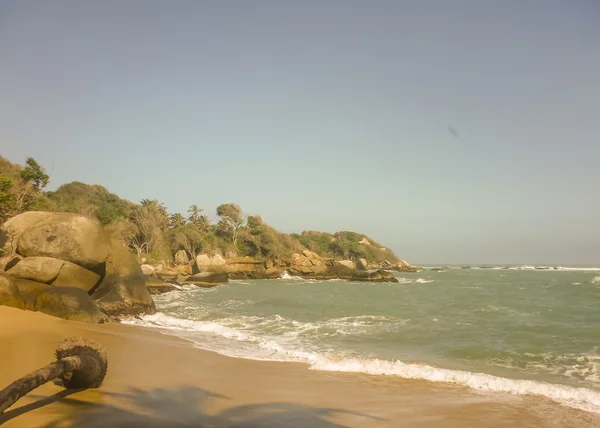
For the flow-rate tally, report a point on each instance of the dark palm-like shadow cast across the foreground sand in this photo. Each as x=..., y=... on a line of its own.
x=182, y=407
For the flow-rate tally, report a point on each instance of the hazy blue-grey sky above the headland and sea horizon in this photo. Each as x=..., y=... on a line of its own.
x=455, y=131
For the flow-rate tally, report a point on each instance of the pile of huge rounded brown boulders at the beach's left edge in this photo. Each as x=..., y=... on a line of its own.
x=68, y=266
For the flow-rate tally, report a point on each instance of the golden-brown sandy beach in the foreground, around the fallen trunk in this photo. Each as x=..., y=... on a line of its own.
x=155, y=380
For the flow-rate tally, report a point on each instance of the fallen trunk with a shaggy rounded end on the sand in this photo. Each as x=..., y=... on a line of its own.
x=80, y=363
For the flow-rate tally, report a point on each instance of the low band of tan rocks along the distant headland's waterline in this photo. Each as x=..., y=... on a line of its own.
x=210, y=270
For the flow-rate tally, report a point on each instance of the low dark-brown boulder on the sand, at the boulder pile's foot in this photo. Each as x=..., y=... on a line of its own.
x=69, y=303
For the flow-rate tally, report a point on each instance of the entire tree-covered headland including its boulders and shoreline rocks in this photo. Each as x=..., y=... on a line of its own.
x=83, y=253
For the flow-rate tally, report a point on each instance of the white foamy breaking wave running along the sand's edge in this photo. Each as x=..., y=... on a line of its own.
x=250, y=345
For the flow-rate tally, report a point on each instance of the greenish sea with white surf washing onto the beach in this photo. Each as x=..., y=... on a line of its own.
x=517, y=330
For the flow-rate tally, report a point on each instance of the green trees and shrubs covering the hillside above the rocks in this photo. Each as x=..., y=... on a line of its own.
x=152, y=232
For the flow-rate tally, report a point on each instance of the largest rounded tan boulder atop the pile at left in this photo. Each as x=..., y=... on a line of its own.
x=66, y=236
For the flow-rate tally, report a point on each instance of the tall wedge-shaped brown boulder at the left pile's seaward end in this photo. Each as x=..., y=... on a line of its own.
x=123, y=289
